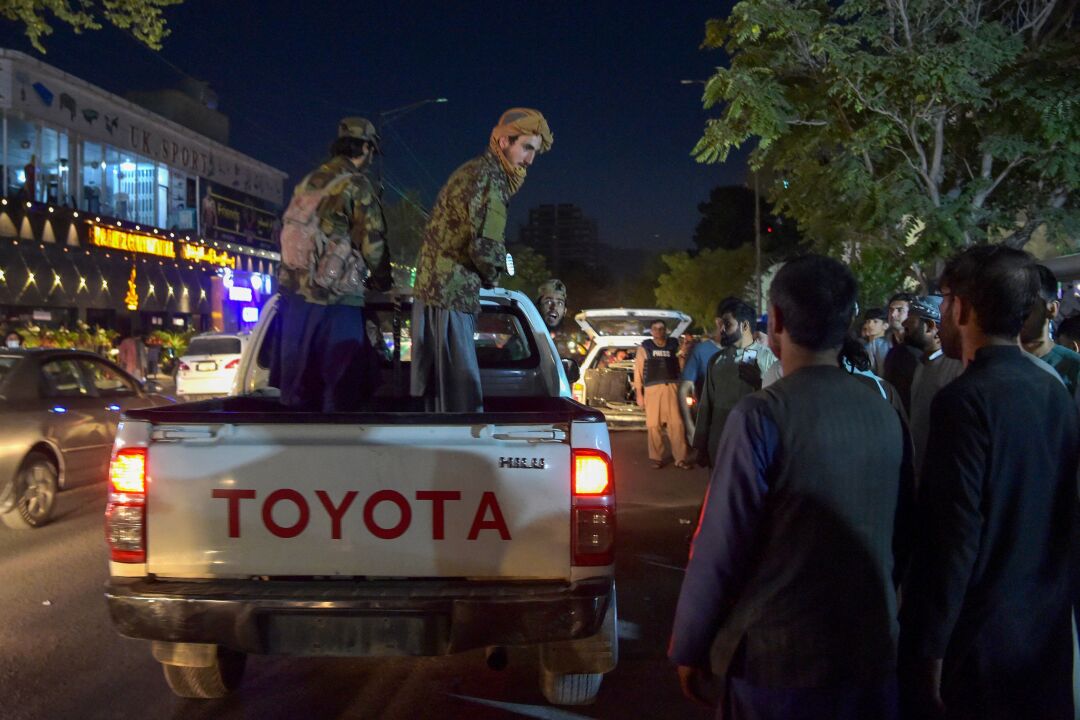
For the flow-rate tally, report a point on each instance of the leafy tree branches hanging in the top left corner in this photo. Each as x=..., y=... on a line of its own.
x=144, y=19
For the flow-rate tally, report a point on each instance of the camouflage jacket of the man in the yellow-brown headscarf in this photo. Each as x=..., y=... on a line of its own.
x=464, y=247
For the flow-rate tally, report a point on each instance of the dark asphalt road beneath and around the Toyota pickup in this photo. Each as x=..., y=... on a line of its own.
x=60, y=657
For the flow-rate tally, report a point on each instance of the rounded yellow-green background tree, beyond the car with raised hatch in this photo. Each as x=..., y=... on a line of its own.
x=695, y=284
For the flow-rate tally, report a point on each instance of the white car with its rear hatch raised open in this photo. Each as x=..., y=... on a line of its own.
x=607, y=373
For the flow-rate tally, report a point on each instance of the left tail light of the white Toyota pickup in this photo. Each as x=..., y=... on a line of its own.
x=126, y=514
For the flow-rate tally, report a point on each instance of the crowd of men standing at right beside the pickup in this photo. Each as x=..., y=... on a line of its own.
x=890, y=529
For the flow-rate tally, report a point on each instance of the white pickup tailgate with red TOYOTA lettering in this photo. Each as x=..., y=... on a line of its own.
x=398, y=501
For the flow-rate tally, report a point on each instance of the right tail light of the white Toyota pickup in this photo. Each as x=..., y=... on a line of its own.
x=592, y=529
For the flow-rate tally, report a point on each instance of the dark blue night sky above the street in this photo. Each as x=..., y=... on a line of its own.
x=606, y=75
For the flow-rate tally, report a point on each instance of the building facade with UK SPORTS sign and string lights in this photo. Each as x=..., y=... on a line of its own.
x=118, y=218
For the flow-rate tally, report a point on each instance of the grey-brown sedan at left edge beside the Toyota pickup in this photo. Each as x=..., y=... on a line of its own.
x=59, y=415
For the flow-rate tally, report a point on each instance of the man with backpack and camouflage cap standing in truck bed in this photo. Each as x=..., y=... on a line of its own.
x=333, y=246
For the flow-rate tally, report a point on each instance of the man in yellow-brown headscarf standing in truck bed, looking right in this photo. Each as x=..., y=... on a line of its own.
x=464, y=250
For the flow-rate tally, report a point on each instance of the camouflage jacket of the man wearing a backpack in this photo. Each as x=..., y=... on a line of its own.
x=354, y=211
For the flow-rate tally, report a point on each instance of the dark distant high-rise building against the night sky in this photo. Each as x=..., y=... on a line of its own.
x=564, y=236
